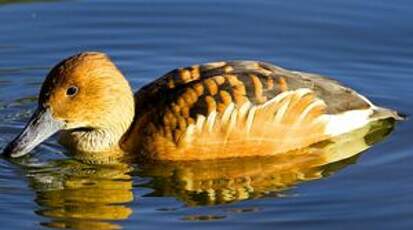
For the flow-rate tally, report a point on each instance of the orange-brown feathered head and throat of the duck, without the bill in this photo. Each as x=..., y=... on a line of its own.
x=92, y=106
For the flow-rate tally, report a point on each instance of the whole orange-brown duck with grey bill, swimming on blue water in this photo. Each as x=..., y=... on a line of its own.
x=217, y=110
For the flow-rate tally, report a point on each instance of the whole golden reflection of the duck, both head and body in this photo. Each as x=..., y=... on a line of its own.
x=76, y=195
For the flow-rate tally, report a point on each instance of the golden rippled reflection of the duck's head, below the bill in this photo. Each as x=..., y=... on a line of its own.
x=75, y=195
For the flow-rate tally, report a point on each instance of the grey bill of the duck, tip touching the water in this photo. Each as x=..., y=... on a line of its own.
x=41, y=126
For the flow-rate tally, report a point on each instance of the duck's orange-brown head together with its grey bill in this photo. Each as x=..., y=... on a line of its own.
x=86, y=98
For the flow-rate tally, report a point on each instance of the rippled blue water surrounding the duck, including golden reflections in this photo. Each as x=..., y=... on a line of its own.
x=365, y=44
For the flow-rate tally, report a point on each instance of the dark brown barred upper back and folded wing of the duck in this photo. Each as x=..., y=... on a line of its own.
x=262, y=82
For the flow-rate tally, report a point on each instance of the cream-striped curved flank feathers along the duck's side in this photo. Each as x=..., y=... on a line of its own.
x=242, y=119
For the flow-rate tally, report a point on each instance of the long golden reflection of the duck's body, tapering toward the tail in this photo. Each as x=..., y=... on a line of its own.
x=225, y=181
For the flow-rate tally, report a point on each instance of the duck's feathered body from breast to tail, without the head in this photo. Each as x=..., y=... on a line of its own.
x=242, y=108
